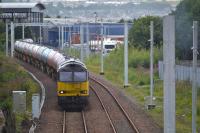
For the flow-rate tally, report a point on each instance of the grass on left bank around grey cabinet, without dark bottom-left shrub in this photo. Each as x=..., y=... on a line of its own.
x=14, y=77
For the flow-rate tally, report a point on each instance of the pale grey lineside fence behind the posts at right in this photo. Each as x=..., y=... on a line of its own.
x=181, y=72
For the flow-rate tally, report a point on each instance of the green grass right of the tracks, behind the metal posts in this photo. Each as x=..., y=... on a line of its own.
x=139, y=80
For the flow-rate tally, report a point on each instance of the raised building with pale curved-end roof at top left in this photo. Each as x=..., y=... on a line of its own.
x=22, y=12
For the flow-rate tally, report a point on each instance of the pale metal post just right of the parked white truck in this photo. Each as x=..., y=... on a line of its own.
x=126, y=54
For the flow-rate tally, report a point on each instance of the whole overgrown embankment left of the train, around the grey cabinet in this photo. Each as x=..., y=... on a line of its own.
x=13, y=77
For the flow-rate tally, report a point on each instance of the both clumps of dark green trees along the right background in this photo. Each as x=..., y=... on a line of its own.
x=186, y=12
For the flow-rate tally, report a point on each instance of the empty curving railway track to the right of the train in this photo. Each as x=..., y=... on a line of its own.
x=133, y=126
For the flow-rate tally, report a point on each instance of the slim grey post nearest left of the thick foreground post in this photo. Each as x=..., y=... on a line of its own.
x=151, y=105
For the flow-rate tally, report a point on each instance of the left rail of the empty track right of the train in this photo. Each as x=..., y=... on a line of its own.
x=103, y=106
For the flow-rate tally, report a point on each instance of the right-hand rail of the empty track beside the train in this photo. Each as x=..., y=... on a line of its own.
x=120, y=106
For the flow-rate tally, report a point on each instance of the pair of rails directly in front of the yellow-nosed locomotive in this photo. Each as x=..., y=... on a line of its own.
x=64, y=127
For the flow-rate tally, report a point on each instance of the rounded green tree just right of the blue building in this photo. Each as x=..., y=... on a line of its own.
x=139, y=34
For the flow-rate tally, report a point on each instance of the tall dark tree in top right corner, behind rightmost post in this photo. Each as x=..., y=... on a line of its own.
x=186, y=12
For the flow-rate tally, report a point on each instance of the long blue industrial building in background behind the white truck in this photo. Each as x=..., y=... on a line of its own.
x=115, y=31
